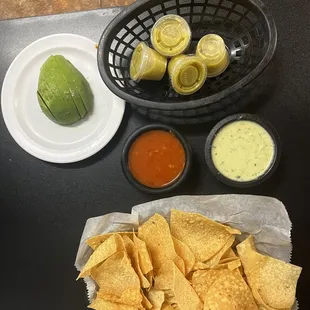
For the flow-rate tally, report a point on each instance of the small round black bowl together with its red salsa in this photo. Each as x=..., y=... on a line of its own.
x=156, y=159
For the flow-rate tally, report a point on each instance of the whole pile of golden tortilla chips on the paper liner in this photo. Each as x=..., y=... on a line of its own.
x=190, y=264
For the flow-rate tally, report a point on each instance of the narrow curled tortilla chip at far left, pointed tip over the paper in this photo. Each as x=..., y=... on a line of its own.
x=109, y=247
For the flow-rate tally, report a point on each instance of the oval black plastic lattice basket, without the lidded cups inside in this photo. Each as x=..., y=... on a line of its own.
x=248, y=30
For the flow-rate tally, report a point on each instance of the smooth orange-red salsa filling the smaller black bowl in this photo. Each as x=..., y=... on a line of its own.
x=156, y=158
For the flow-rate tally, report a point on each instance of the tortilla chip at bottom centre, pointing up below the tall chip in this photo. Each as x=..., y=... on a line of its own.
x=177, y=289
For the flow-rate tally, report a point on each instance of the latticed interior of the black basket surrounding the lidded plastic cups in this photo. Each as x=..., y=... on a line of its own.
x=241, y=27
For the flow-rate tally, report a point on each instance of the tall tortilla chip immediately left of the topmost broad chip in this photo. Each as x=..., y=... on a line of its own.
x=156, y=234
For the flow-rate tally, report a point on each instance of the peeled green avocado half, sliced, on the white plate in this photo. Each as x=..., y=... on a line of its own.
x=63, y=93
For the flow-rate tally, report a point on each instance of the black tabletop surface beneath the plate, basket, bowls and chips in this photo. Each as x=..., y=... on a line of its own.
x=44, y=206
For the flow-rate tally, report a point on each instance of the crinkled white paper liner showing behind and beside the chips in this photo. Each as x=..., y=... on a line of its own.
x=264, y=217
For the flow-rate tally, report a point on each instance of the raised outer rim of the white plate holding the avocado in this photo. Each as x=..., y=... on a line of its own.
x=115, y=118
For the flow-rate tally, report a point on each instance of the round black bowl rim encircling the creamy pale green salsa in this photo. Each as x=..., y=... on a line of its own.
x=248, y=117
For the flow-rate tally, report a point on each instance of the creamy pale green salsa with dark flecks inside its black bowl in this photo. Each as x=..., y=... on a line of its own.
x=242, y=151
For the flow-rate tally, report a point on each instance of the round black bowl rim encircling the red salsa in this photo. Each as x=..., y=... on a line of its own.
x=171, y=186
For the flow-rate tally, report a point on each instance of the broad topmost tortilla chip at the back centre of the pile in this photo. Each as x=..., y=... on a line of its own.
x=203, y=236
